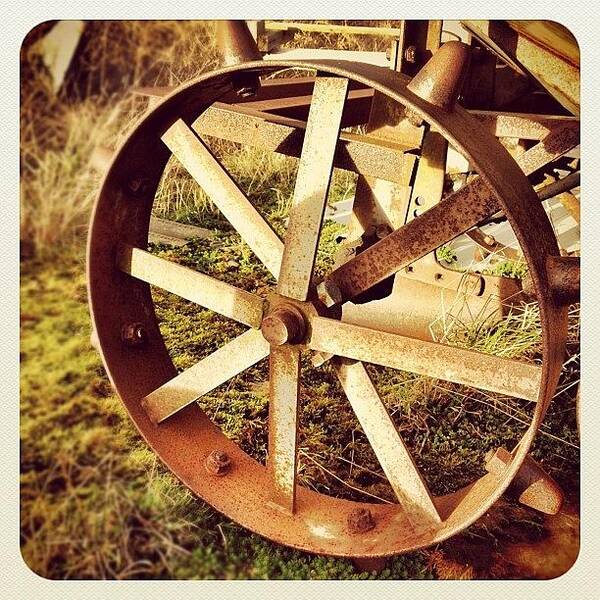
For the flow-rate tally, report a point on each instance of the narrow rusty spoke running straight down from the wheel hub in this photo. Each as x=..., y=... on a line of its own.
x=284, y=369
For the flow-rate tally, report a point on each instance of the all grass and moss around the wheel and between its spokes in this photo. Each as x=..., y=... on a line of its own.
x=95, y=501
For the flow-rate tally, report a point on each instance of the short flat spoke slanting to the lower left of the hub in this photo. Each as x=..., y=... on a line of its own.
x=218, y=367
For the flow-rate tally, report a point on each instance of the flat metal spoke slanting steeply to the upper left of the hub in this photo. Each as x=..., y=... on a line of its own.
x=203, y=166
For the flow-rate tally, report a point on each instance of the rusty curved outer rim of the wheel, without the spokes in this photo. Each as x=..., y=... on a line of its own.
x=318, y=523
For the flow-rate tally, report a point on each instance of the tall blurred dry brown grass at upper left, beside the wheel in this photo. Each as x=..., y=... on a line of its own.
x=60, y=132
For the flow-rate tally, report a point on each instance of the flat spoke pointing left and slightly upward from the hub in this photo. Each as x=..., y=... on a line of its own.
x=206, y=291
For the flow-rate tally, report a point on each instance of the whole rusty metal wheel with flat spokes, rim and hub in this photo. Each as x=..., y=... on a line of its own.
x=297, y=317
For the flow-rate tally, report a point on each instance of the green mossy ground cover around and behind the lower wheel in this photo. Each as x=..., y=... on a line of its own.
x=96, y=503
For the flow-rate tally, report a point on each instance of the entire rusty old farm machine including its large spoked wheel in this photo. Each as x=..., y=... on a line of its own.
x=447, y=140
